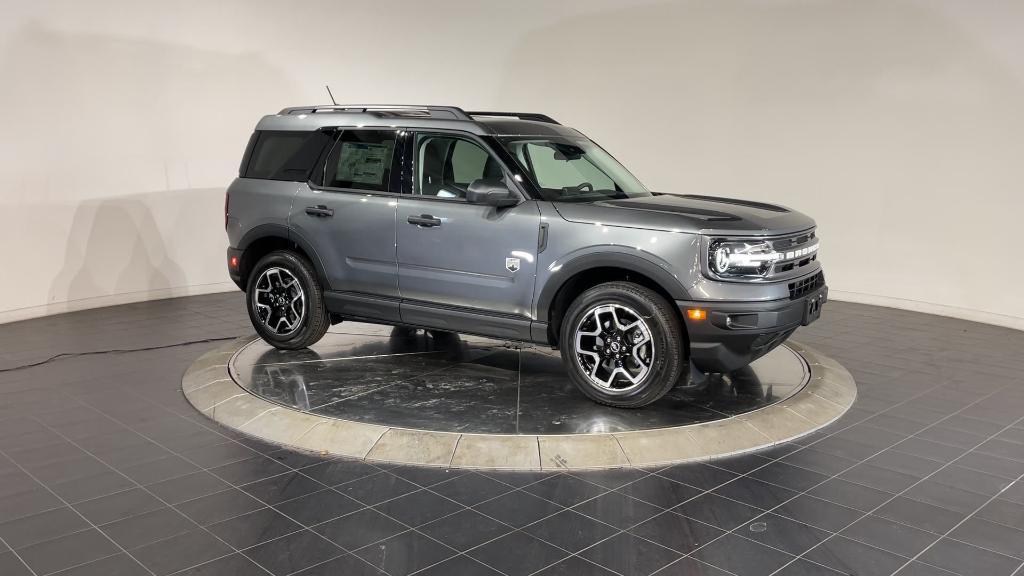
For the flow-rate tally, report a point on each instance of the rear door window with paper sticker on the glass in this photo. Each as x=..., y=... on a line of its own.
x=362, y=160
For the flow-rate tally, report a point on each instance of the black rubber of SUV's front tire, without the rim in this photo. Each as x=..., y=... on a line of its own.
x=668, y=350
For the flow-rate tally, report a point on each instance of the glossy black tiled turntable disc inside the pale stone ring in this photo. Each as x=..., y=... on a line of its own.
x=447, y=383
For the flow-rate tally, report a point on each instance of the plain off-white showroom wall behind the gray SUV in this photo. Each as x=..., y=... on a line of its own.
x=899, y=126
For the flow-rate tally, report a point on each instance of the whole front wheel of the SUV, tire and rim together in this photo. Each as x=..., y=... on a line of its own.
x=641, y=369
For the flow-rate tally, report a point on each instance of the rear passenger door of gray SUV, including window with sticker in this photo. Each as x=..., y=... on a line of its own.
x=349, y=216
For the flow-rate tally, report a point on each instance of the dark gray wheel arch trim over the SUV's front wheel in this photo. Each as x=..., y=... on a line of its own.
x=586, y=272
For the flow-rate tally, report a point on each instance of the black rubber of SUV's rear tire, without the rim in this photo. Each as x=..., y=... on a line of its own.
x=311, y=290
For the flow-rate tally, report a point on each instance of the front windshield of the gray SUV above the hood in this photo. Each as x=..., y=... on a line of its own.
x=573, y=170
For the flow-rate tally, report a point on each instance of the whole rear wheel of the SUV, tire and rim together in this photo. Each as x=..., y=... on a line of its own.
x=283, y=285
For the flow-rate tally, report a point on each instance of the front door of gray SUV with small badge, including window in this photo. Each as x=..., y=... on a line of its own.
x=464, y=267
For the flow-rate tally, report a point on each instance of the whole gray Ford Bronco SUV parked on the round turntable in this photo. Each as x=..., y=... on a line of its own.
x=514, y=227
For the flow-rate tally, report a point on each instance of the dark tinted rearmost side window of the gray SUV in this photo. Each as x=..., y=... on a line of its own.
x=285, y=155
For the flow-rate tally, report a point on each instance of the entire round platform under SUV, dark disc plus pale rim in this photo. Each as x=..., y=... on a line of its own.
x=438, y=399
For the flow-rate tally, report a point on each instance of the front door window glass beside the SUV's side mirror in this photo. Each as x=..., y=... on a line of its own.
x=446, y=166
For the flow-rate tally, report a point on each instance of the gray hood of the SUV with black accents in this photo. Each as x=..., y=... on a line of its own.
x=697, y=215
